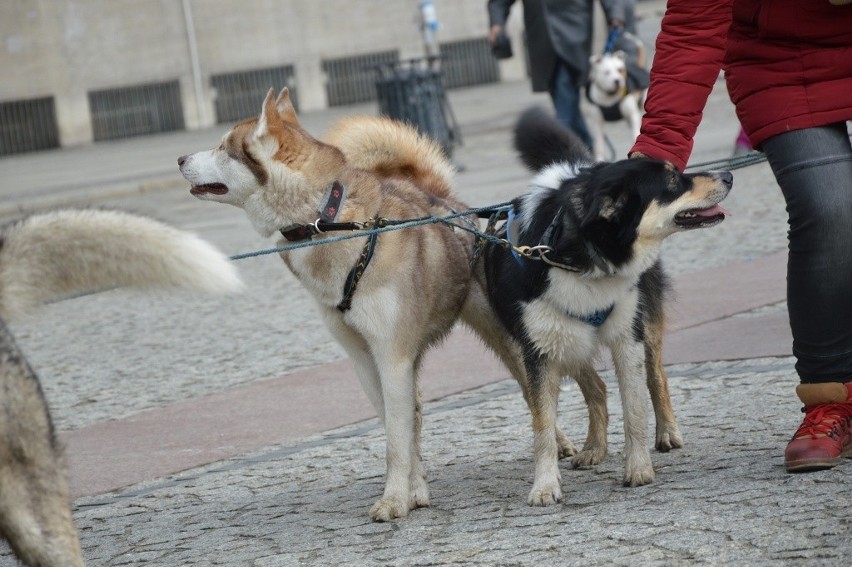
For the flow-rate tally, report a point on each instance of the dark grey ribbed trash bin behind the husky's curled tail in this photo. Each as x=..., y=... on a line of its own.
x=412, y=91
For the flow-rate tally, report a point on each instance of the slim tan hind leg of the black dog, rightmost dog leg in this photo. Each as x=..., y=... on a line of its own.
x=668, y=433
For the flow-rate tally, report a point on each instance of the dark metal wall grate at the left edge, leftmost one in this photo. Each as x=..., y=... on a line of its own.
x=27, y=126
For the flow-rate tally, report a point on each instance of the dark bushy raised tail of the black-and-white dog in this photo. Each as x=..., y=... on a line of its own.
x=541, y=141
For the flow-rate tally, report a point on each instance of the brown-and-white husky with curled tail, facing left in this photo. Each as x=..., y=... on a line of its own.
x=385, y=298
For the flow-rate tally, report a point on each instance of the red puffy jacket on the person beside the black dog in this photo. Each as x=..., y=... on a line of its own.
x=788, y=65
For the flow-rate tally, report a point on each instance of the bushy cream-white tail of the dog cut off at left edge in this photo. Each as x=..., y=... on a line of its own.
x=53, y=255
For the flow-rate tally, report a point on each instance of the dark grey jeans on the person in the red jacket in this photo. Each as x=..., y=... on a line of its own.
x=813, y=167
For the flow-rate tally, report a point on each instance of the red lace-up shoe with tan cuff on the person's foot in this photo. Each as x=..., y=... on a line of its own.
x=825, y=436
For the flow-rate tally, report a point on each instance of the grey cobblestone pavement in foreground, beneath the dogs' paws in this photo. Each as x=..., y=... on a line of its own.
x=724, y=499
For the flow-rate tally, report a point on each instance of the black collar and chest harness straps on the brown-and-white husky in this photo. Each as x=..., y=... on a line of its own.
x=325, y=223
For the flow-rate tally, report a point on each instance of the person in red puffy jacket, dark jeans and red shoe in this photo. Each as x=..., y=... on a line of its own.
x=788, y=67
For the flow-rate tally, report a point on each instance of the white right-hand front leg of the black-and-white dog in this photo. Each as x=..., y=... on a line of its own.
x=629, y=358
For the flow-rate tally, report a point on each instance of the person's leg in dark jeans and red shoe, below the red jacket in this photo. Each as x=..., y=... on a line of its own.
x=814, y=170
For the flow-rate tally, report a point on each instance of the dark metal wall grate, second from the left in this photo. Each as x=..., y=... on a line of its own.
x=133, y=111
